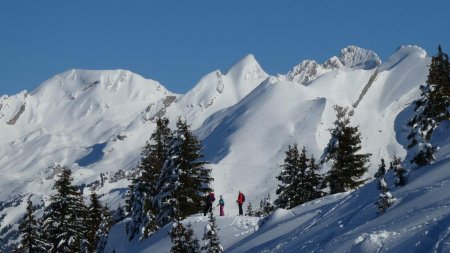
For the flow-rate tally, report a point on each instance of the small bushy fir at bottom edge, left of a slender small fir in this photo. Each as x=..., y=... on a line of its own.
x=183, y=238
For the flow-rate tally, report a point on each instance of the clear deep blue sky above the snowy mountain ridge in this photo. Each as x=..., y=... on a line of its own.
x=177, y=42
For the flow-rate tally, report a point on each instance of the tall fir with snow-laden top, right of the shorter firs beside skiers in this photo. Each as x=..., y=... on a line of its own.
x=342, y=151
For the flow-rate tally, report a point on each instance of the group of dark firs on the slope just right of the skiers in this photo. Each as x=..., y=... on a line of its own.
x=299, y=179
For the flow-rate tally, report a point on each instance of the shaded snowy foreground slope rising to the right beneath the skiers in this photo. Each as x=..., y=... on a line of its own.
x=419, y=221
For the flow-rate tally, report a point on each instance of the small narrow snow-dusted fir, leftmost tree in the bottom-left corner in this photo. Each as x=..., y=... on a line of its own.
x=29, y=229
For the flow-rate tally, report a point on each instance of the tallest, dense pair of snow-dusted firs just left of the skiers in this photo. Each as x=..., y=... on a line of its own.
x=171, y=181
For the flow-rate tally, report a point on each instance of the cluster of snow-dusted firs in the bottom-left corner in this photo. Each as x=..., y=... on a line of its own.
x=67, y=225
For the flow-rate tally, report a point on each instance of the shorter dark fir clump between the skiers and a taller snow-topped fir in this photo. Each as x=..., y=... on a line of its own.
x=298, y=179
